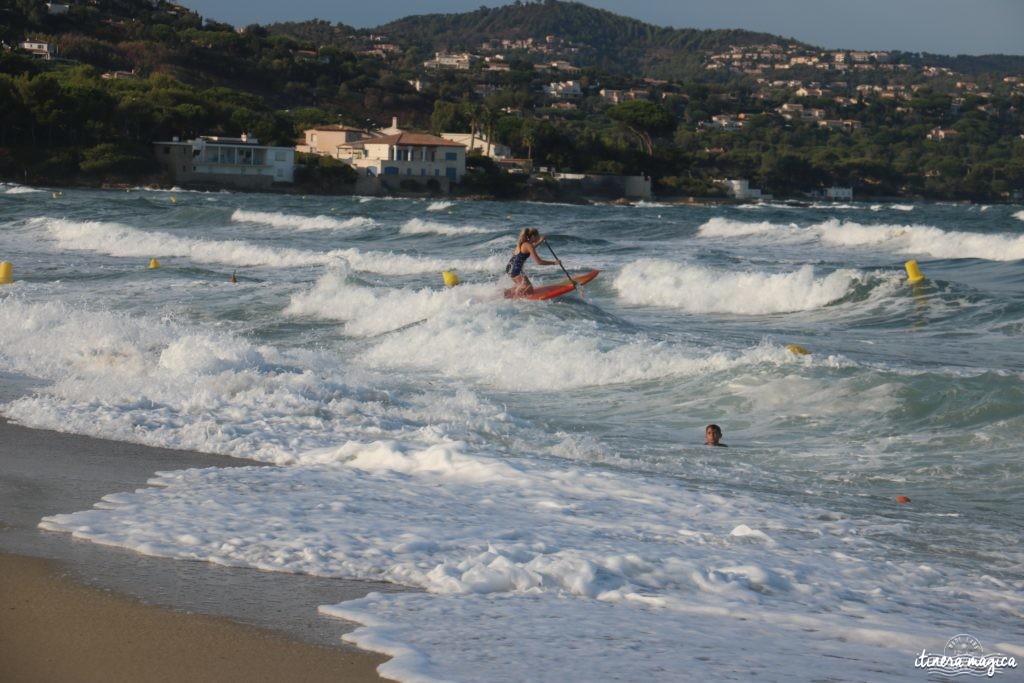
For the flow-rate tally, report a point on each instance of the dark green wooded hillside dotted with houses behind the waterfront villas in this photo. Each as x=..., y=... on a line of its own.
x=571, y=88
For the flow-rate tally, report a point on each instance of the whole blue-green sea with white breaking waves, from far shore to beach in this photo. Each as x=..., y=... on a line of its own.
x=539, y=465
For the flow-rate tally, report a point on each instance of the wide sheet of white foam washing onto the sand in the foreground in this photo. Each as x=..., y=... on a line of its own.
x=619, y=569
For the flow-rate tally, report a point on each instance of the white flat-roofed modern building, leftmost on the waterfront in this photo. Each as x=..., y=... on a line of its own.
x=227, y=162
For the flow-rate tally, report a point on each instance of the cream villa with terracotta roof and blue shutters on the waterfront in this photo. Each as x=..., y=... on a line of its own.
x=416, y=156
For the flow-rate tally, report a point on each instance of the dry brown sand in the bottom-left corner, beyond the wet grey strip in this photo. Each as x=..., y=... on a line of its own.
x=55, y=629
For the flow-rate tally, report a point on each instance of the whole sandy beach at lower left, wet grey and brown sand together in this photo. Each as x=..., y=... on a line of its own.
x=76, y=612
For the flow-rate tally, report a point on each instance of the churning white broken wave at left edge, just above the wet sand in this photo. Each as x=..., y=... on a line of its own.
x=160, y=383
